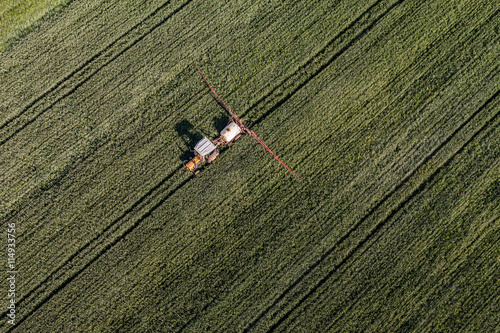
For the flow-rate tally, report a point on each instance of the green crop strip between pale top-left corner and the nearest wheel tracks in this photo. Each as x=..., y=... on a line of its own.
x=80, y=20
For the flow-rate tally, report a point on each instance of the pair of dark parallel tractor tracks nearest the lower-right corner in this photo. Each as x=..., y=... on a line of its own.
x=371, y=212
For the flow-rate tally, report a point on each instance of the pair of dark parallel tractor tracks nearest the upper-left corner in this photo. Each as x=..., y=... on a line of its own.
x=83, y=68
